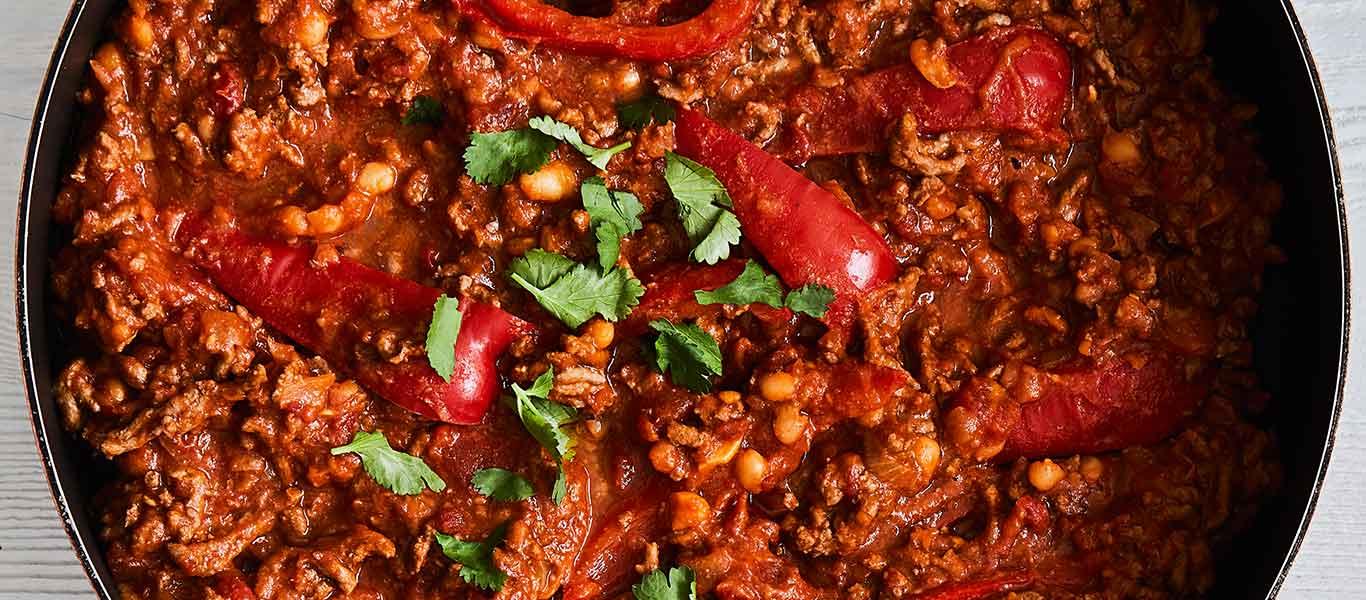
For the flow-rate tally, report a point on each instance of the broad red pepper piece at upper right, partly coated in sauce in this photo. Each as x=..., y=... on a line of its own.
x=1012, y=80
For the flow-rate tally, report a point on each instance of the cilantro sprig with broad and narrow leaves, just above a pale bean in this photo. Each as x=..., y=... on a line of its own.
x=495, y=159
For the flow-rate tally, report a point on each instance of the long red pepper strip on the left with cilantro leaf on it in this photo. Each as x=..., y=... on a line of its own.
x=329, y=308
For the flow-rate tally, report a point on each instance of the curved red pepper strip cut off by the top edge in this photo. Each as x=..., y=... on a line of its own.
x=721, y=24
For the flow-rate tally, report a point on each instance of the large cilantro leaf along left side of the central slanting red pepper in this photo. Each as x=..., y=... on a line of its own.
x=704, y=208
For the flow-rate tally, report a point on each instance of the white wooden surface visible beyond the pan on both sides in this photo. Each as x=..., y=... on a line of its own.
x=38, y=562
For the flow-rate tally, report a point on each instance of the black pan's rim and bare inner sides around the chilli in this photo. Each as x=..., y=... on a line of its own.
x=1301, y=333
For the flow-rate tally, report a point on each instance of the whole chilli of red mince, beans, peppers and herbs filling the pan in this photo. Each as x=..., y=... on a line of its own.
x=779, y=299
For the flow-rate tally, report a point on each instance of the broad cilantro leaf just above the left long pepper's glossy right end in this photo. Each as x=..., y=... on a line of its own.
x=574, y=293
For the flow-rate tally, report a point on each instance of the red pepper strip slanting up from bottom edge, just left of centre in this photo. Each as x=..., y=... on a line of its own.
x=607, y=565
